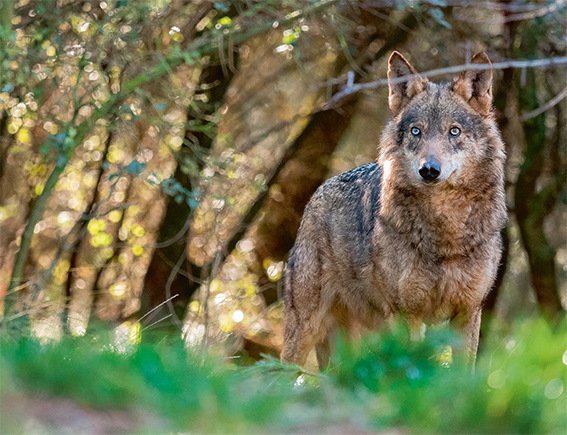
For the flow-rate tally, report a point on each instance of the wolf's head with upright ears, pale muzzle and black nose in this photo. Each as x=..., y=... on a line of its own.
x=440, y=133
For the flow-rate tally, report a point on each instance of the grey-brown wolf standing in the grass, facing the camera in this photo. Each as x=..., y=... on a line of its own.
x=379, y=240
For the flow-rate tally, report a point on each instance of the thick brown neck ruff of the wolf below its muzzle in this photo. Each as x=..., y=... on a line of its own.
x=444, y=221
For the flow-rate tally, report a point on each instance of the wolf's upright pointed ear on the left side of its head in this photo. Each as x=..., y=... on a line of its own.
x=402, y=93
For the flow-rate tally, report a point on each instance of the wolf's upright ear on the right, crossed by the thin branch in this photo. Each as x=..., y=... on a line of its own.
x=475, y=86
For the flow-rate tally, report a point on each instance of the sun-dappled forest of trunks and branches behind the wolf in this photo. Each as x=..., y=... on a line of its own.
x=157, y=155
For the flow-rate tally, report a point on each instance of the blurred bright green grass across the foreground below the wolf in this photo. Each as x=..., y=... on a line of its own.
x=384, y=382
